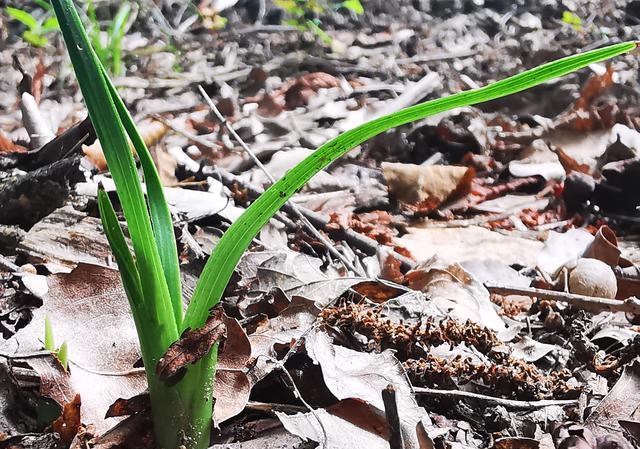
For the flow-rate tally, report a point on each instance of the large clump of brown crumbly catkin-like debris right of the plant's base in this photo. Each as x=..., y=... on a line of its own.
x=502, y=372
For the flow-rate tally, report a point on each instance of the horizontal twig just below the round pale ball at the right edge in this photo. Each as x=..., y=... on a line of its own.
x=589, y=303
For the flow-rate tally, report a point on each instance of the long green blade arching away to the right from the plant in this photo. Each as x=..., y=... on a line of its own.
x=236, y=240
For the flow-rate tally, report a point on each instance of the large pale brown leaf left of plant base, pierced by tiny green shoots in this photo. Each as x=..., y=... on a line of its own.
x=88, y=309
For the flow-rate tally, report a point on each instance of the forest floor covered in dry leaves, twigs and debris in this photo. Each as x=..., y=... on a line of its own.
x=475, y=281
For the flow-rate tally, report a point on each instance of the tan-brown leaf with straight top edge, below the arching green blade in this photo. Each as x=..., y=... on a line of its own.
x=413, y=184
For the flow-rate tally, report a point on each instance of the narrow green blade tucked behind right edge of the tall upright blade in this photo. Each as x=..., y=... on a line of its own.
x=160, y=215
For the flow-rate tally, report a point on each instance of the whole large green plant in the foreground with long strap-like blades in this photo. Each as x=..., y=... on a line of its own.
x=150, y=275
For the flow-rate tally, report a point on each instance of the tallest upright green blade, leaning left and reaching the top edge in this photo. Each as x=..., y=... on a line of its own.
x=113, y=138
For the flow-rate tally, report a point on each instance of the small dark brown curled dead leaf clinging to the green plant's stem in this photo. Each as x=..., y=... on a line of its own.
x=191, y=347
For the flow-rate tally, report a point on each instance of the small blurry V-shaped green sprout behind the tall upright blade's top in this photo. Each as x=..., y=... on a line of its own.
x=108, y=45
